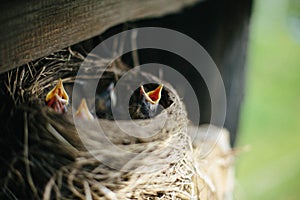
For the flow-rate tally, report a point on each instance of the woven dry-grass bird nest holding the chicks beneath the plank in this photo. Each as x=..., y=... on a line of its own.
x=46, y=155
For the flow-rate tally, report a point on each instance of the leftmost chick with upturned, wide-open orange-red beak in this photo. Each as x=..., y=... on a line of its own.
x=58, y=98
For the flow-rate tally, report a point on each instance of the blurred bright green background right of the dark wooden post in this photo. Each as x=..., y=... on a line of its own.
x=271, y=111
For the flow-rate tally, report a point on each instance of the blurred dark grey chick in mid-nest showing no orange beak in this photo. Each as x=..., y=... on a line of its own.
x=104, y=101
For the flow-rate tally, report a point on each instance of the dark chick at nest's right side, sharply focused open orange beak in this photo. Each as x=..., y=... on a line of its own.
x=147, y=104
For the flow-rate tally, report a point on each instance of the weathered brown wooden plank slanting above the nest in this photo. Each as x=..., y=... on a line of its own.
x=32, y=29
